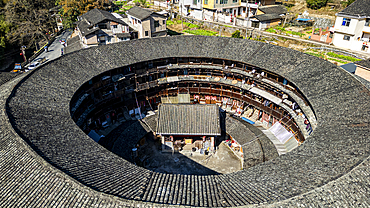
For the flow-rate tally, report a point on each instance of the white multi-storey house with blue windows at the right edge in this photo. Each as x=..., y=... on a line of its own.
x=352, y=27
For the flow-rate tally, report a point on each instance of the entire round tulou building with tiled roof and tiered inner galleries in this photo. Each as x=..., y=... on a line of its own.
x=194, y=96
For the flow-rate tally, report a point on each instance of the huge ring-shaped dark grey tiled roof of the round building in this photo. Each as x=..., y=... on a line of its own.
x=46, y=160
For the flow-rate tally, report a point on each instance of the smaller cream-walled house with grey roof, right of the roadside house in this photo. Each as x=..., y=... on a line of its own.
x=147, y=23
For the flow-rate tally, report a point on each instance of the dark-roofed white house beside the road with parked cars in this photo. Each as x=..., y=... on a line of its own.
x=98, y=27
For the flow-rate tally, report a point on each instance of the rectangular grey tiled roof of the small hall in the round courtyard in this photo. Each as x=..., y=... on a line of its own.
x=187, y=119
